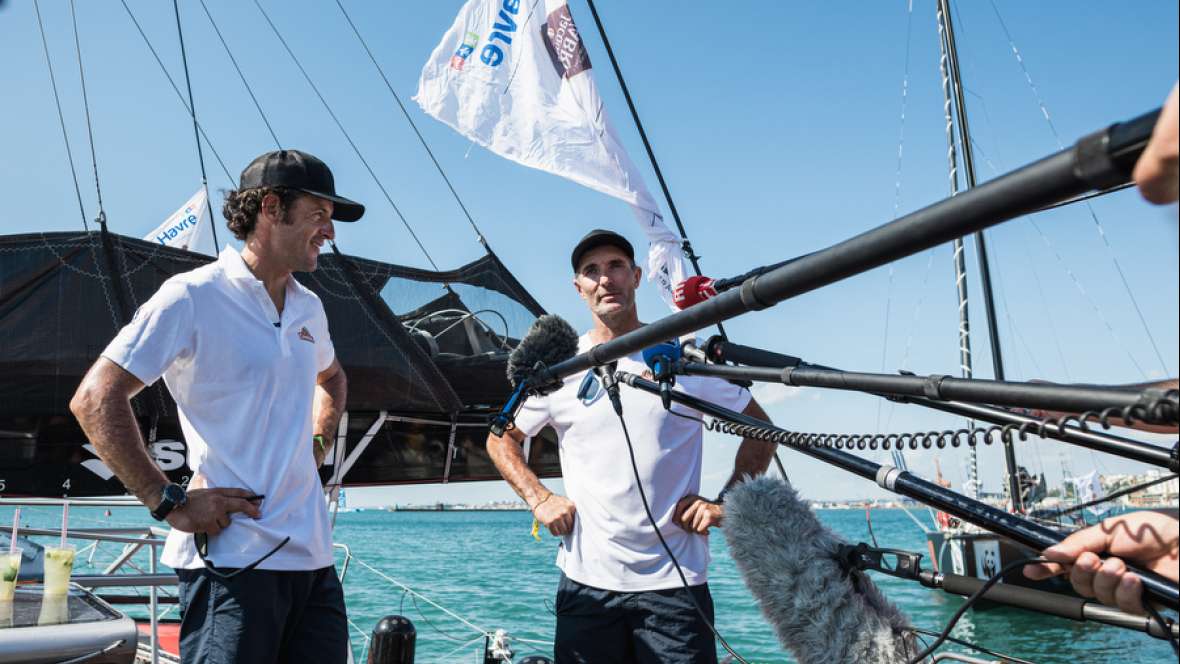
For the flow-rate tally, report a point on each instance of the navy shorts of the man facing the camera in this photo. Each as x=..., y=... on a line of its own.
x=655, y=627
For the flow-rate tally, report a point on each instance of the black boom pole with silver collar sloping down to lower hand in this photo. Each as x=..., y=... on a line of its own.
x=902, y=483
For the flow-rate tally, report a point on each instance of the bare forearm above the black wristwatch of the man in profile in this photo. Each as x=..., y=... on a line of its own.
x=110, y=425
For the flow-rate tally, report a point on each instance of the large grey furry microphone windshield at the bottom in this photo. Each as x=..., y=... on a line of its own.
x=822, y=610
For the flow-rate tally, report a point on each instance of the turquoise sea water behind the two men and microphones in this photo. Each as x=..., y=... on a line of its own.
x=486, y=568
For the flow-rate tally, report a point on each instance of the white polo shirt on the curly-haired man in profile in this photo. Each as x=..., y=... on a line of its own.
x=244, y=379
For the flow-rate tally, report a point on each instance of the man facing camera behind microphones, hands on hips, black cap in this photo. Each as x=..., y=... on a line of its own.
x=621, y=599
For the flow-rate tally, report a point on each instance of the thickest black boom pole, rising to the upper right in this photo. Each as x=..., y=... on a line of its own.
x=1096, y=162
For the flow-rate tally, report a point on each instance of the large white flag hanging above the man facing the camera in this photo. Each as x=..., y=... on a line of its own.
x=514, y=77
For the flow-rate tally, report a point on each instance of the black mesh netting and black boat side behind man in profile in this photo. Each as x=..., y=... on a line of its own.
x=416, y=344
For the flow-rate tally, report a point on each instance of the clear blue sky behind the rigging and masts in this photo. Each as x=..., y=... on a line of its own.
x=778, y=128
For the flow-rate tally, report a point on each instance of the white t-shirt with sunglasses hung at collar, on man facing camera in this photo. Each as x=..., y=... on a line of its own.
x=613, y=545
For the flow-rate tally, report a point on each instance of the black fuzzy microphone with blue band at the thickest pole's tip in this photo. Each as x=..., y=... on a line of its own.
x=549, y=341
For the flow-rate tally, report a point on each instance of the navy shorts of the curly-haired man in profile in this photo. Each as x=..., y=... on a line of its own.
x=263, y=616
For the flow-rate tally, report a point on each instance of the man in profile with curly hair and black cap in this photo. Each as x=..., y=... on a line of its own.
x=246, y=353
